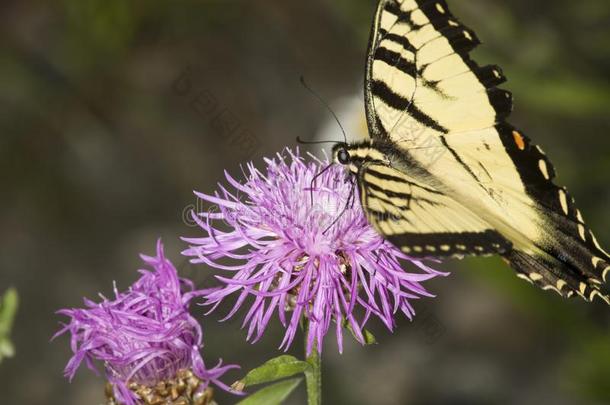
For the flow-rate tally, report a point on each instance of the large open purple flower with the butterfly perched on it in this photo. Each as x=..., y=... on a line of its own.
x=303, y=251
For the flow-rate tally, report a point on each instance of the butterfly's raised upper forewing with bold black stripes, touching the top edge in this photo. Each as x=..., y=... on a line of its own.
x=419, y=74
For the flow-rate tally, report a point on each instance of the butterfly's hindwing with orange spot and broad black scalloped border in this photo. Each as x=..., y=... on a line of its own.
x=514, y=192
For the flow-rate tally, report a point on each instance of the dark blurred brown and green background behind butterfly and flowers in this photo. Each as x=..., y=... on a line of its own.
x=112, y=112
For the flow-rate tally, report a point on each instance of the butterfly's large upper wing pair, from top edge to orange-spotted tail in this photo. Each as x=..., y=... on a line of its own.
x=445, y=114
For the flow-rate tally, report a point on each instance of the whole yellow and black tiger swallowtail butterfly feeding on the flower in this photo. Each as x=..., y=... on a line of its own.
x=444, y=174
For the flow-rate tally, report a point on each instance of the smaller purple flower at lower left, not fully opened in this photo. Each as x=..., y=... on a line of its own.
x=144, y=336
